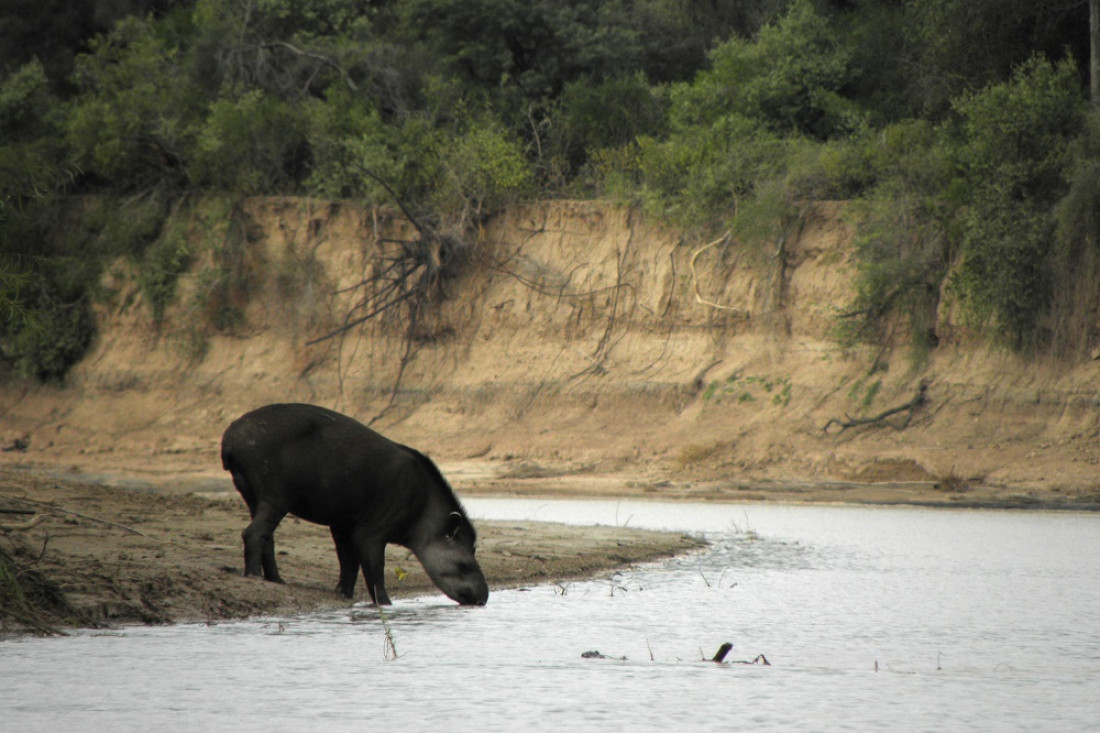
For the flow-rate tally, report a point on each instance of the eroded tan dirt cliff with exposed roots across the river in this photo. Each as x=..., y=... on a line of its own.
x=582, y=348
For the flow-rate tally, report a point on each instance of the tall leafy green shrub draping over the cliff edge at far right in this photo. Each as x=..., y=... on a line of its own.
x=1016, y=152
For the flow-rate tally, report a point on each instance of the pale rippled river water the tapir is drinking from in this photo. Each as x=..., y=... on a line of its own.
x=897, y=619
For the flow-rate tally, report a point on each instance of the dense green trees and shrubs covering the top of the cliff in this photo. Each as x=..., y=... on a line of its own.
x=961, y=129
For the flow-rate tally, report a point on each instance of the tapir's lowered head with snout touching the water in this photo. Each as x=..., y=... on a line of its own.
x=448, y=557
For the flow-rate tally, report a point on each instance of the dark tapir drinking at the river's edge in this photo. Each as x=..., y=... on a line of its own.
x=331, y=469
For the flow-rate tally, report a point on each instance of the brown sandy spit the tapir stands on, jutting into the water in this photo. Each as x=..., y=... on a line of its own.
x=126, y=555
